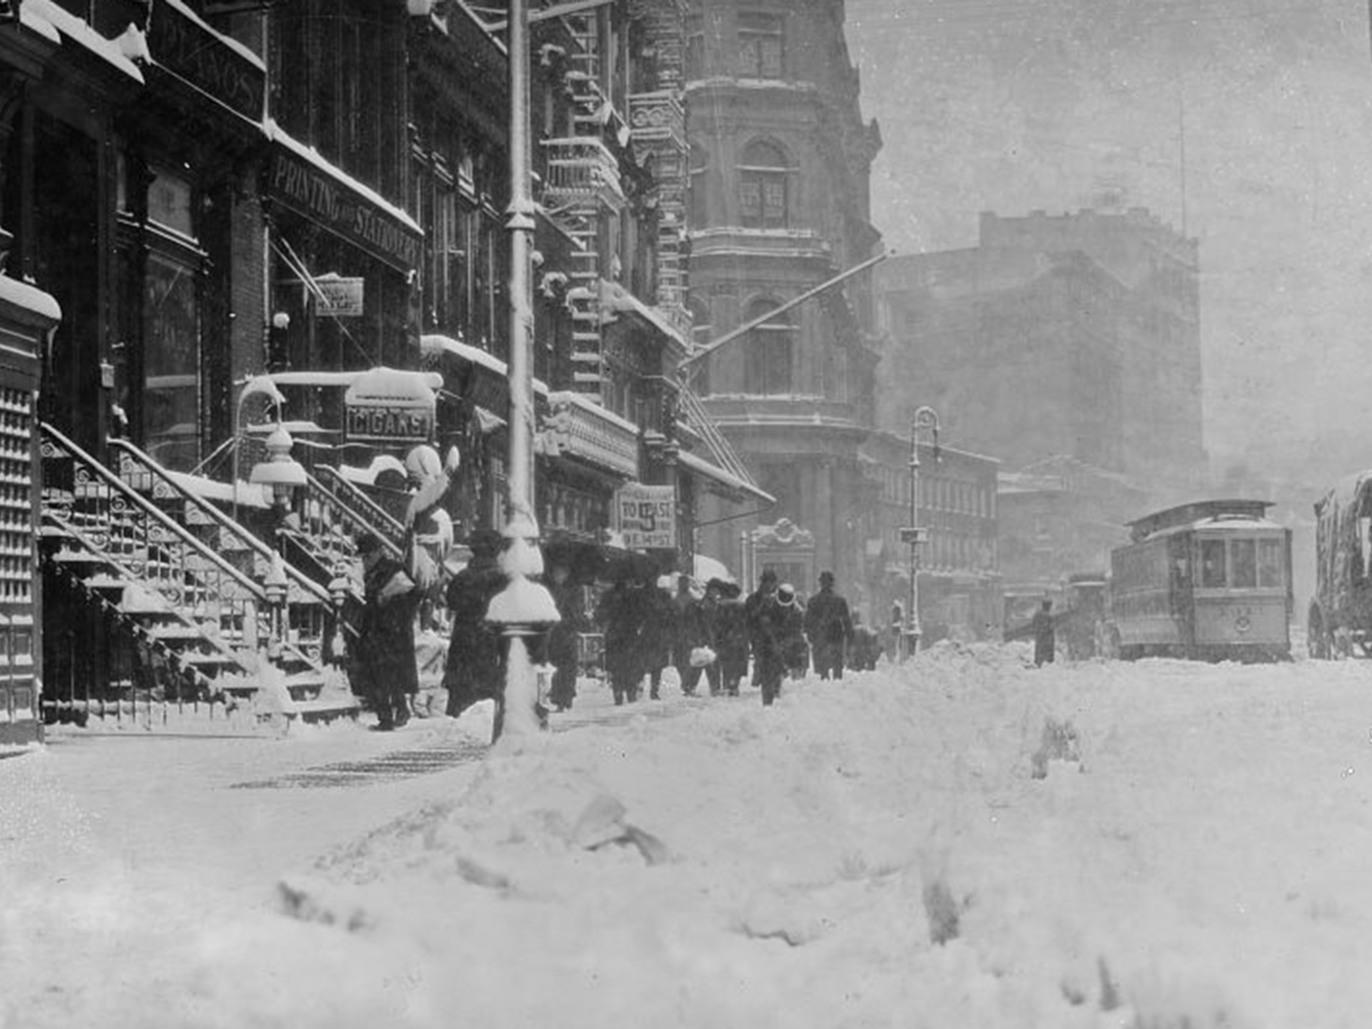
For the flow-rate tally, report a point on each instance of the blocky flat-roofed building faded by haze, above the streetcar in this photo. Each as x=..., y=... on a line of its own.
x=1057, y=337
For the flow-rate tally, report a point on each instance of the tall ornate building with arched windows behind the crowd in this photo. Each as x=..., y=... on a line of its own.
x=780, y=163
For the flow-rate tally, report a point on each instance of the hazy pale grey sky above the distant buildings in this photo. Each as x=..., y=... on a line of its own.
x=1021, y=105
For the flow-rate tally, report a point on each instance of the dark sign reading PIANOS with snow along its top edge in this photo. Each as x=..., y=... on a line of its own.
x=201, y=57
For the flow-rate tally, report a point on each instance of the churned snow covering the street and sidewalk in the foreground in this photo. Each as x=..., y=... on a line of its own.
x=965, y=842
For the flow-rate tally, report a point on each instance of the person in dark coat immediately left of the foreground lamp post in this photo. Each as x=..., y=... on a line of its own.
x=475, y=667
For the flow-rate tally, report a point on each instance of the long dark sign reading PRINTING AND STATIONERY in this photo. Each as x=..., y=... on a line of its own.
x=330, y=202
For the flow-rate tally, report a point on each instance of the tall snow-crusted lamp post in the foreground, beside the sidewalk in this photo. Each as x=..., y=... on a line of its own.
x=525, y=607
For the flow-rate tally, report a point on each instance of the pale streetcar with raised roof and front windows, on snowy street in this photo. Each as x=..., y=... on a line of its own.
x=1207, y=581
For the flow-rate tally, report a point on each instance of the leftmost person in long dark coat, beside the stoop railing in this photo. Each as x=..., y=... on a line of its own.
x=383, y=666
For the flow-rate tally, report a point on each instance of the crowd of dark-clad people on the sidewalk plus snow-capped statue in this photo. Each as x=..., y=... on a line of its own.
x=706, y=633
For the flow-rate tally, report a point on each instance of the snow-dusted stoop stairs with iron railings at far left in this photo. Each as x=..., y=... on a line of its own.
x=180, y=603
